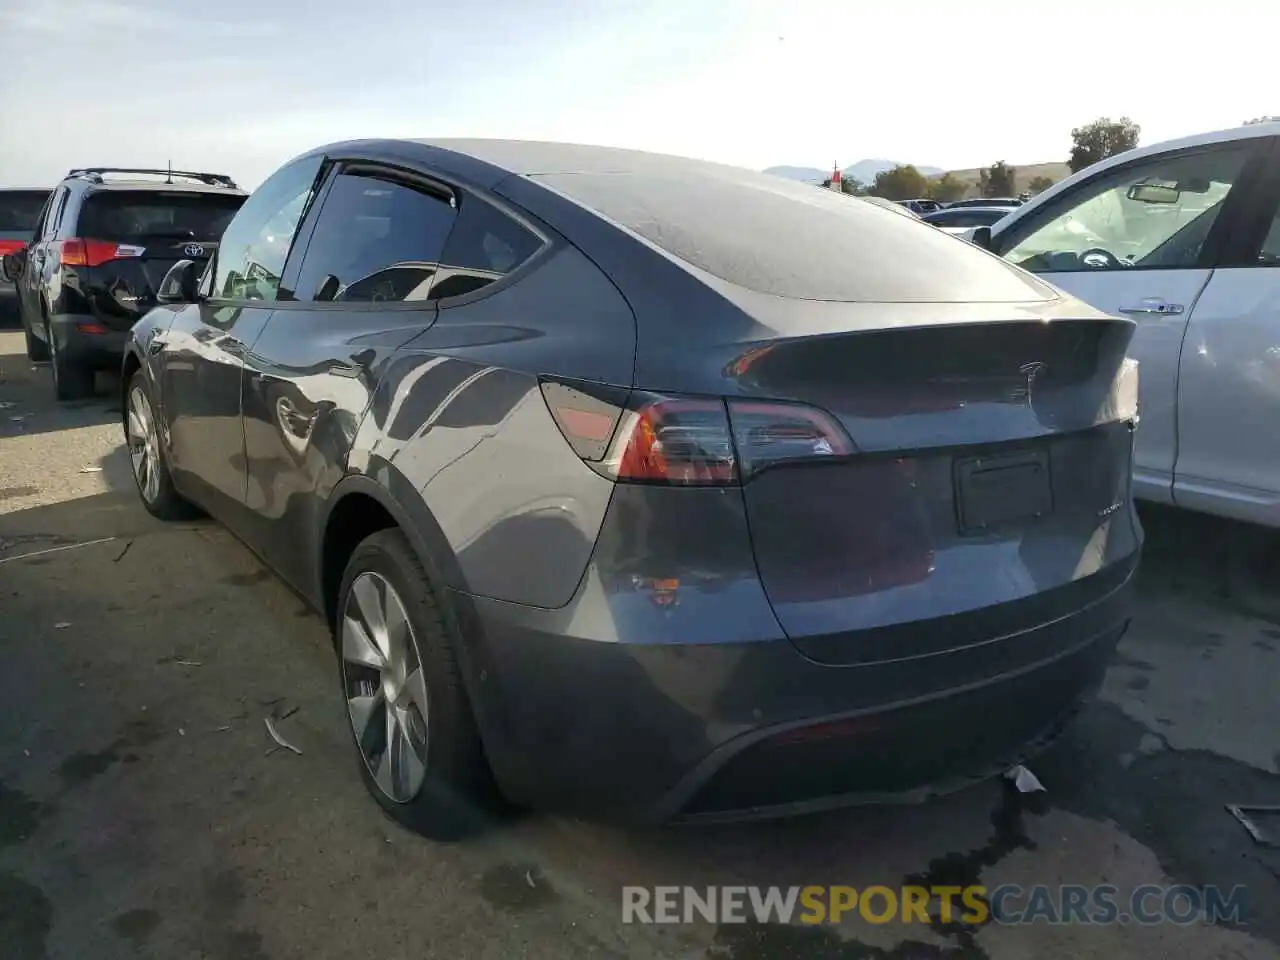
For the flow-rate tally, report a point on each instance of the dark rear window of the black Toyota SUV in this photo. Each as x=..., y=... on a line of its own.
x=125, y=216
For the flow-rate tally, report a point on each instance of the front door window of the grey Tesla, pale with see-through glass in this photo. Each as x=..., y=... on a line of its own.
x=257, y=244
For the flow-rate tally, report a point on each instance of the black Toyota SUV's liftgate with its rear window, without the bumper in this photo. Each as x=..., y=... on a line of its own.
x=132, y=237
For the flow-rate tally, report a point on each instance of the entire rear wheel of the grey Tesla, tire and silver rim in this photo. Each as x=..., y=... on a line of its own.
x=415, y=735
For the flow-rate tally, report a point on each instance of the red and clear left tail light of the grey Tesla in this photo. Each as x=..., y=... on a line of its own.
x=689, y=441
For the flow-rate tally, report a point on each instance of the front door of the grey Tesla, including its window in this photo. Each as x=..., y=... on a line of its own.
x=208, y=344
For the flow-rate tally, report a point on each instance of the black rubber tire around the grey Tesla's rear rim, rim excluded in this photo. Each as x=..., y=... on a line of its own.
x=459, y=797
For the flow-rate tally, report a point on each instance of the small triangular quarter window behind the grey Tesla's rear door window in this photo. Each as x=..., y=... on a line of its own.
x=486, y=245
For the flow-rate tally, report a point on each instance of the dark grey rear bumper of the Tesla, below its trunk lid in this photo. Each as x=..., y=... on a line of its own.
x=752, y=728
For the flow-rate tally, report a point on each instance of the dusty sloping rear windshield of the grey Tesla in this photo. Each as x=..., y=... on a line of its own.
x=796, y=241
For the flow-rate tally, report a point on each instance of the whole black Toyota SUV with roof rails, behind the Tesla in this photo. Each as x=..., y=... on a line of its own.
x=103, y=244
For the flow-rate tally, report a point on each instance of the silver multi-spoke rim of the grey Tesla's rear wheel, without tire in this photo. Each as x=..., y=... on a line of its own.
x=386, y=692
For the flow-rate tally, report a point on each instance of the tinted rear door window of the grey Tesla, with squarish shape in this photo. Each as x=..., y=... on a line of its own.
x=376, y=241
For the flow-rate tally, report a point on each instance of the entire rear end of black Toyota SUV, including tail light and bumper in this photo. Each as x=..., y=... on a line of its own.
x=126, y=239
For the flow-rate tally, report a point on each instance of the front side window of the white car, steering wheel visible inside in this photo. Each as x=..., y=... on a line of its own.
x=1154, y=214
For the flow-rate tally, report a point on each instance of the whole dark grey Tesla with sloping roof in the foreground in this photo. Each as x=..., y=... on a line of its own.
x=620, y=505
